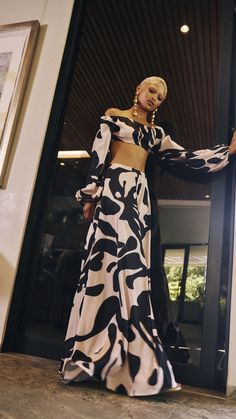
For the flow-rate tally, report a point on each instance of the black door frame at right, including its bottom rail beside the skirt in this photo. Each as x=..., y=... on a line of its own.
x=206, y=374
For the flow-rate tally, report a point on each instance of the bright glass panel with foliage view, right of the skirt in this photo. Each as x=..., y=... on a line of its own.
x=185, y=269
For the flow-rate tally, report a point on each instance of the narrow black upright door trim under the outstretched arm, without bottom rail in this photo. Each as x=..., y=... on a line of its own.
x=217, y=219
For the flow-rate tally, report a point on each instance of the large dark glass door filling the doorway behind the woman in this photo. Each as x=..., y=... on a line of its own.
x=103, y=76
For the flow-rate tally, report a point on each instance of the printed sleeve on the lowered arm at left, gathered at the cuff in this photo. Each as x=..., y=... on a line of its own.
x=100, y=150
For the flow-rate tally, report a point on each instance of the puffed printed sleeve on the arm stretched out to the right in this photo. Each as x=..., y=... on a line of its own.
x=208, y=160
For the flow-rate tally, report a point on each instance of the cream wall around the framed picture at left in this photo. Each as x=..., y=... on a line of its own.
x=54, y=17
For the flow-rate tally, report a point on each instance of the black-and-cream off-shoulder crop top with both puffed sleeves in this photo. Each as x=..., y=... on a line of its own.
x=153, y=140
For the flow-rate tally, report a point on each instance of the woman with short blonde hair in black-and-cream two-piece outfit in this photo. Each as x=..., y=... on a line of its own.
x=112, y=334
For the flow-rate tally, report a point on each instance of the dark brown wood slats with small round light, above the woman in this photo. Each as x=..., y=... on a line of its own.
x=125, y=41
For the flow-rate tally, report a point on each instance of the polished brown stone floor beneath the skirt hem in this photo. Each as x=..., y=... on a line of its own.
x=29, y=389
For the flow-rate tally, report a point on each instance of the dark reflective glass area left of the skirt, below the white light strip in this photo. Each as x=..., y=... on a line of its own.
x=60, y=256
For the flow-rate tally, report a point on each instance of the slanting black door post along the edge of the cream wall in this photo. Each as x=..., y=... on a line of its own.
x=46, y=171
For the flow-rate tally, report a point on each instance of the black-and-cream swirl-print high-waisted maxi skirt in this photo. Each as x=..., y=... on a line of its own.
x=112, y=334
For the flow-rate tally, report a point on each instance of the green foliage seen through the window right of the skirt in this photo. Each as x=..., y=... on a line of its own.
x=195, y=284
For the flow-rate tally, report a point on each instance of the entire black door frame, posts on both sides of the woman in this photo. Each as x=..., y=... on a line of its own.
x=205, y=375
